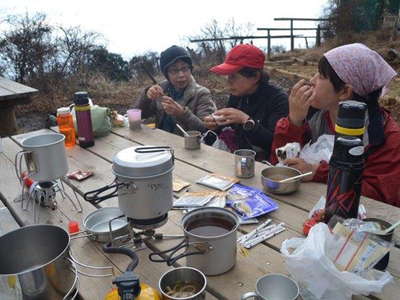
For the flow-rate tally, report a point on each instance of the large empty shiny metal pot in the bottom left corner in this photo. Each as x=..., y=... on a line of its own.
x=35, y=264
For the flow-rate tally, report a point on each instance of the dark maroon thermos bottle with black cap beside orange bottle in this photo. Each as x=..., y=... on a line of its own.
x=83, y=119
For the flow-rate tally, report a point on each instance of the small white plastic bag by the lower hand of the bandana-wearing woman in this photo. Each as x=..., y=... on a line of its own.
x=320, y=150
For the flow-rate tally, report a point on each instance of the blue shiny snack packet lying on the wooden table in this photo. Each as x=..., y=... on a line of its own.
x=249, y=202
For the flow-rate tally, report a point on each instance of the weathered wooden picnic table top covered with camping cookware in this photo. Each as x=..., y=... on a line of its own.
x=190, y=166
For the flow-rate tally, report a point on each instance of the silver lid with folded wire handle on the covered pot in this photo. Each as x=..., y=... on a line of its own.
x=142, y=161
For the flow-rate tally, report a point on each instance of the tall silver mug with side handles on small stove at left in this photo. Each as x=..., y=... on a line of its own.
x=45, y=157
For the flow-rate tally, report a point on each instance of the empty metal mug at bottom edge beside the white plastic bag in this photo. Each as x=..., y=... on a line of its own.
x=274, y=287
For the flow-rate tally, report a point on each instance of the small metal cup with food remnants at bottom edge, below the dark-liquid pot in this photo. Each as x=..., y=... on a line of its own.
x=175, y=284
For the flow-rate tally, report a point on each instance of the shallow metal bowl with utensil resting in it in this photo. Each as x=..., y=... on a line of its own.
x=271, y=176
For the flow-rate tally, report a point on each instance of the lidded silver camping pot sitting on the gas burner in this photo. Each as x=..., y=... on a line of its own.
x=143, y=184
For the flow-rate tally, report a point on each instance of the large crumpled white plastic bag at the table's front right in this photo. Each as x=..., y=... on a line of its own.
x=313, y=270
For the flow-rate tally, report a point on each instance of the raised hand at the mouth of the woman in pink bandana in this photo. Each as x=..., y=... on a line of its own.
x=299, y=102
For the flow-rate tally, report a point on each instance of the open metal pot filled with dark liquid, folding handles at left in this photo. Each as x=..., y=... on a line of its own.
x=210, y=241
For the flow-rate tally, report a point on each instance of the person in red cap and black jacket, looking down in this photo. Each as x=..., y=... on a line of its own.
x=254, y=104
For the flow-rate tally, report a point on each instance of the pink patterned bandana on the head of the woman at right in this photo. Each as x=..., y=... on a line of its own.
x=364, y=69
